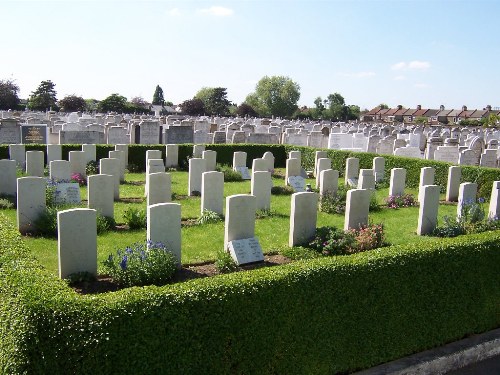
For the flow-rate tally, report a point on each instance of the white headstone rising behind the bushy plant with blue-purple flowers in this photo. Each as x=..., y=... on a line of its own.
x=164, y=225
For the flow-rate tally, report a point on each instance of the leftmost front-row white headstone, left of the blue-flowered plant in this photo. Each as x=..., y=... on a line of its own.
x=77, y=241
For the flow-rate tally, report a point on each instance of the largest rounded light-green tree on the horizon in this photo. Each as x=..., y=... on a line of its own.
x=276, y=95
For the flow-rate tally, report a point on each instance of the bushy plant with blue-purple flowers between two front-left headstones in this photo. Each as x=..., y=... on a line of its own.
x=141, y=264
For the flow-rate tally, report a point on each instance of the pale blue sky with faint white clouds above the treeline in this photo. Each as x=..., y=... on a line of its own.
x=370, y=51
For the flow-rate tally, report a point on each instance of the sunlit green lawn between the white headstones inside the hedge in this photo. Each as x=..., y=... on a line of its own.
x=201, y=243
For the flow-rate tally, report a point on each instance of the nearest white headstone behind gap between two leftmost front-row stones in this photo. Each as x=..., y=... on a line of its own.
x=100, y=194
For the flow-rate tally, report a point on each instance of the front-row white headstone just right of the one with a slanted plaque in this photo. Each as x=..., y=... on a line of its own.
x=303, y=218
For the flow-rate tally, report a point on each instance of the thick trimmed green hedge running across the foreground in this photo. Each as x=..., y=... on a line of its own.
x=319, y=316
